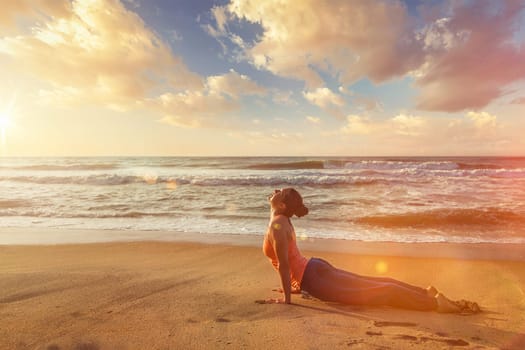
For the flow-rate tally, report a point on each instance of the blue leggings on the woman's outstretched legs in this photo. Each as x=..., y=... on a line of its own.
x=328, y=283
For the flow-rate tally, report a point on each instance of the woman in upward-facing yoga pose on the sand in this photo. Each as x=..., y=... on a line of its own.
x=323, y=281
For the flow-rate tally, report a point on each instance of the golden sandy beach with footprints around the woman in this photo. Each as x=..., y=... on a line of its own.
x=201, y=295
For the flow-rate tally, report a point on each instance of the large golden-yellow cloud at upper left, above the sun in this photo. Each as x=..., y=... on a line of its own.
x=99, y=53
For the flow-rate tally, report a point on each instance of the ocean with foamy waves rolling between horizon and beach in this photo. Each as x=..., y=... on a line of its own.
x=400, y=199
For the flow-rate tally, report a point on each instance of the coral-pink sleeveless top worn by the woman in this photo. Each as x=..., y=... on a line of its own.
x=296, y=261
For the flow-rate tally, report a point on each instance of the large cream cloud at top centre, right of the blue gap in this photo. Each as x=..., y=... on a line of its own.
x=348, y=39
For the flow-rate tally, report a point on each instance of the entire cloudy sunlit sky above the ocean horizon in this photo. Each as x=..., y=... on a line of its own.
x=262, y=78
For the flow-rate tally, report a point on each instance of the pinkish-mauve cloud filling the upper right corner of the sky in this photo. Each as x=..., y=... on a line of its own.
x=471, y=57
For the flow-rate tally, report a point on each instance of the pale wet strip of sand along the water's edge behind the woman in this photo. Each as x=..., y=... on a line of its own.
x=468, y=251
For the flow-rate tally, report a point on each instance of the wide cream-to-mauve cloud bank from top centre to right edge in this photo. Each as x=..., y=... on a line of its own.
x=462, y=55
